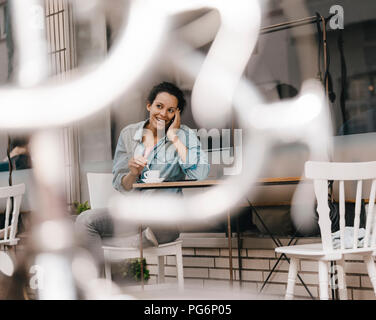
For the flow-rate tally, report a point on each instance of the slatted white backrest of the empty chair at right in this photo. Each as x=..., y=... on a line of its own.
x=321, y=172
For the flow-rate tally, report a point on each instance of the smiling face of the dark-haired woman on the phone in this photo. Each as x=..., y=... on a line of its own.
x=162, y=110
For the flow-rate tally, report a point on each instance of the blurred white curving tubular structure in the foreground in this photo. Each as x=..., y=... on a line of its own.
x=218, y=90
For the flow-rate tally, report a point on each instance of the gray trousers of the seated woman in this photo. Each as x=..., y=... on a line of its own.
x=96, y=227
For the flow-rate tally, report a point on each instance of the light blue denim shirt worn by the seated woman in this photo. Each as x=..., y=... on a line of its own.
x=164, y=156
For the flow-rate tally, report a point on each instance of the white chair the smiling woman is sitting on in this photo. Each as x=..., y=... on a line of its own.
x=100, y=191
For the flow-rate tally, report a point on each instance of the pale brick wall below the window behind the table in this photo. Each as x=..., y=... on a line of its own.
x=206, y=265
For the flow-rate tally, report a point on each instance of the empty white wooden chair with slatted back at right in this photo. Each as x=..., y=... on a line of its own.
x=325, y=252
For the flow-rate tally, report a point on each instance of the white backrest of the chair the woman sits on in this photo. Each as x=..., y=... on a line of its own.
x=100, y=189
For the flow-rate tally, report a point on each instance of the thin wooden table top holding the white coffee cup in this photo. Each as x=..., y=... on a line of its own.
x=208, y=183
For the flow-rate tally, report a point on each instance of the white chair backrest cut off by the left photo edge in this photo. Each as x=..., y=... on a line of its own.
x=15, y=192
